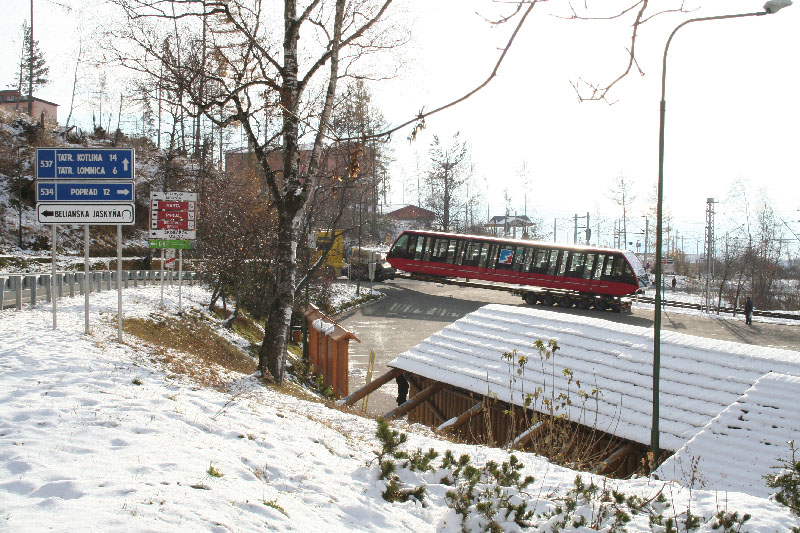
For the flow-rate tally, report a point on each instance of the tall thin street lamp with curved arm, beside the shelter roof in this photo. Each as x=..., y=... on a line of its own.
x=772, y=6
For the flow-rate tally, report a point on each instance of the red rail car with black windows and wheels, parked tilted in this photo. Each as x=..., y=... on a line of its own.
x=546, y=272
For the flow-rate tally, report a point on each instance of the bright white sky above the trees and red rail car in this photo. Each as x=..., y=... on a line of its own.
x=731, y=108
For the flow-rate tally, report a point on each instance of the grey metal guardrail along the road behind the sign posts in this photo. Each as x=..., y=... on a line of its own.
x=21, y=289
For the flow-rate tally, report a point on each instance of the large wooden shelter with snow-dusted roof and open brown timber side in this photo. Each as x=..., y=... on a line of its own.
x=575, y=389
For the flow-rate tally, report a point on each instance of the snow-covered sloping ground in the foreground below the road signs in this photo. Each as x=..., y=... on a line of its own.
x=95, y=436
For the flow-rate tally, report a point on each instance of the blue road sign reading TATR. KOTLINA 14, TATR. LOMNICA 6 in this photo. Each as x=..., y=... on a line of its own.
x=85, y=163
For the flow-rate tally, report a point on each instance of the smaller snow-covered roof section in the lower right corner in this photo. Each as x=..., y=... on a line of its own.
x=757, y=427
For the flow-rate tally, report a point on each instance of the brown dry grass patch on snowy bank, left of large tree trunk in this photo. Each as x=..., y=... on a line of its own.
x=189, y=346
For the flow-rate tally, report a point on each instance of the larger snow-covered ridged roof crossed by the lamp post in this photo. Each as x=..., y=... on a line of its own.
x=699, y=377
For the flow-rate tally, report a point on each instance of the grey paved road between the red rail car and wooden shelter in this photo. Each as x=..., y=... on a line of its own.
x=414, y=310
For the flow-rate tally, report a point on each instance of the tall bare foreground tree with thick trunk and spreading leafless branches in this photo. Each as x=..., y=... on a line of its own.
x=277, y=81
